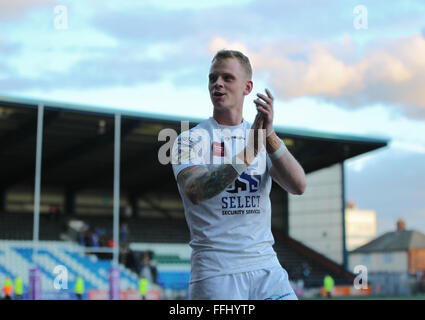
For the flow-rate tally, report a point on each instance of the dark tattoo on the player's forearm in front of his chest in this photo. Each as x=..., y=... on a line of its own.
x=204, y=182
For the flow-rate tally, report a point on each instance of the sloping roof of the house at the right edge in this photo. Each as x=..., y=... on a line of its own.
x=400, y=240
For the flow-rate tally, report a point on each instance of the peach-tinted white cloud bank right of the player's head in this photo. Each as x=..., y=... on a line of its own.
x=390, y=71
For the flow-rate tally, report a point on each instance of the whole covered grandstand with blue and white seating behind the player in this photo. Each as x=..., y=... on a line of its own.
x=63, y=211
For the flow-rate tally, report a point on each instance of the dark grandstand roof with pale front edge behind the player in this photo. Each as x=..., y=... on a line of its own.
x=78, y=144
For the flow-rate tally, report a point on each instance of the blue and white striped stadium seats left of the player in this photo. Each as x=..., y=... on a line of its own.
x=16, y=259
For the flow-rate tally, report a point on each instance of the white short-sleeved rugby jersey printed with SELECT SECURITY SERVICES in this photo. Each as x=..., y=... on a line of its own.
x=230, y=232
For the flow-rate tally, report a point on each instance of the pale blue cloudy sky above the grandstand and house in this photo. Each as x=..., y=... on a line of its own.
x=354, y=67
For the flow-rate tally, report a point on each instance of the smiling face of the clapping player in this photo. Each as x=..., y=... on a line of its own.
x=228, y=83
